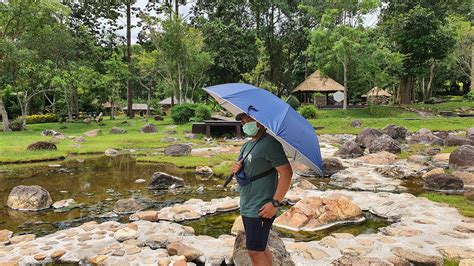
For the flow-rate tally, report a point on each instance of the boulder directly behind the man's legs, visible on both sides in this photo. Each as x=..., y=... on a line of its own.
x=280, y=256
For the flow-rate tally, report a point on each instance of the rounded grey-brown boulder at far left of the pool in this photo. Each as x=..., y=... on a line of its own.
x=29, y=198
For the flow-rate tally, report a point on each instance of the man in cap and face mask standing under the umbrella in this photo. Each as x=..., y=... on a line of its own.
x=260, y=199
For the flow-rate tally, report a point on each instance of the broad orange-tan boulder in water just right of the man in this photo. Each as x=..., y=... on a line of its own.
x=314, y=213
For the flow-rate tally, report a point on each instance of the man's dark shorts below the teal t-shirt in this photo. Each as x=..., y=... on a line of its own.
x=257, y=231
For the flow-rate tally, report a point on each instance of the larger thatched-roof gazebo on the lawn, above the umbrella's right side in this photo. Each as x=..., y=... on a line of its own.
x=316, y=83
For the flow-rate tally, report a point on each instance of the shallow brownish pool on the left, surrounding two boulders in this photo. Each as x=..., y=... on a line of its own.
x=97, y=182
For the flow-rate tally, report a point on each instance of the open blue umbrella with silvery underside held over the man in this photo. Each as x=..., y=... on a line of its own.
x=293, y=131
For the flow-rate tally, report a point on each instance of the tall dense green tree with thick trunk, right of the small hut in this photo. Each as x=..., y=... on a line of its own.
x=416, y=30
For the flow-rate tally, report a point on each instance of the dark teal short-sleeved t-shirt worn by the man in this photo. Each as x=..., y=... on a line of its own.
x=267, y=153
